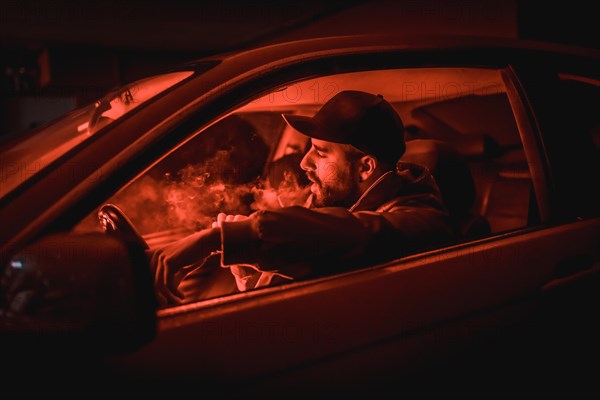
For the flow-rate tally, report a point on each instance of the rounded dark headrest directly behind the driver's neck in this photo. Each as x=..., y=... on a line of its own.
x=450, y=170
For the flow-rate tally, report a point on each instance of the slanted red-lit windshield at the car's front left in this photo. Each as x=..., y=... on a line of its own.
x=24, y=157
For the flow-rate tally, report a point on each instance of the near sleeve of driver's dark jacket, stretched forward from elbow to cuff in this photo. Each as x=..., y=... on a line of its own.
x=271, y=238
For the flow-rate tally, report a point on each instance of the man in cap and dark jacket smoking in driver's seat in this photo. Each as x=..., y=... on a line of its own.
x=365, y=207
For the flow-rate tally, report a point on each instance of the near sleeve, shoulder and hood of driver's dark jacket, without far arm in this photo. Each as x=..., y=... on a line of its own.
x=400, y=213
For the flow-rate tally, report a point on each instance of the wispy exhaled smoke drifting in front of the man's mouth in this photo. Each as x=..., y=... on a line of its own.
x=193, y=198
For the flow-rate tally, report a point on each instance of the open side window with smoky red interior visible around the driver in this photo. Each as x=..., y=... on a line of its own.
x=458, y=124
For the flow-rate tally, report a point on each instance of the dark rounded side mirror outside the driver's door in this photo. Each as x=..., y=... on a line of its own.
x=81, y=293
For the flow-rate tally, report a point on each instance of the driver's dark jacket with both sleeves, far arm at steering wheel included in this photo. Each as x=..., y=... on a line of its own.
x=400, y=213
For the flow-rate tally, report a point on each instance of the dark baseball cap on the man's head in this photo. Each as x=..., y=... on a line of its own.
x=366, y=121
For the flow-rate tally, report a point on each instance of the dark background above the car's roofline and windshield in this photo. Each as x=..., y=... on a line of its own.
x=57, y=55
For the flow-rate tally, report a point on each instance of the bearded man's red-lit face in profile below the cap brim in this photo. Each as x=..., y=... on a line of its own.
x=332, y=171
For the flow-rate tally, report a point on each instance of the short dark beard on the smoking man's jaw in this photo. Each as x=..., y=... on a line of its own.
x=339, y=192
